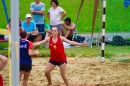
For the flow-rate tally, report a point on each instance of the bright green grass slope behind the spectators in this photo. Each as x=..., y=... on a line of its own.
x=117, y=17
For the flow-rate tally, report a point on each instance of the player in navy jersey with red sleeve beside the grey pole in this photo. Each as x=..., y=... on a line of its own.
x=25, y=57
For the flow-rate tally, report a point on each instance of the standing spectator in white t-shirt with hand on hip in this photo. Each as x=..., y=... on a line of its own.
x=55, y=15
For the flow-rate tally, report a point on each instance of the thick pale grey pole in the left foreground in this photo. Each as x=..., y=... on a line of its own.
x=15, y=42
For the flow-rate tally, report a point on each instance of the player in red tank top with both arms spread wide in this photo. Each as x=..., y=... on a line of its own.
x=57, y=54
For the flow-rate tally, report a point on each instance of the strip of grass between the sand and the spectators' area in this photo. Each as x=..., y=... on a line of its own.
x=111, y=52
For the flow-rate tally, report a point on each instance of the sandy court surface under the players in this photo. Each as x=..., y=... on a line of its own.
x=81, y=72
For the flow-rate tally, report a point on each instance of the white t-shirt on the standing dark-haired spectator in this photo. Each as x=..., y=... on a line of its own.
x=55, y=15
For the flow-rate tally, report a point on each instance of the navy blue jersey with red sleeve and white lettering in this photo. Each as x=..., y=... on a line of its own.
x=25, y=45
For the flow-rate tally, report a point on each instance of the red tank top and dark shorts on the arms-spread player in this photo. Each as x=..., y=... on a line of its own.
x=57, y=56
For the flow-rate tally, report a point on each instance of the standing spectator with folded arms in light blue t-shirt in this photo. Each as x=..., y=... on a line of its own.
x=37, y=9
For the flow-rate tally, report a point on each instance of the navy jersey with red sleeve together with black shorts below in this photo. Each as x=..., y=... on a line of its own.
x=25, y=59
